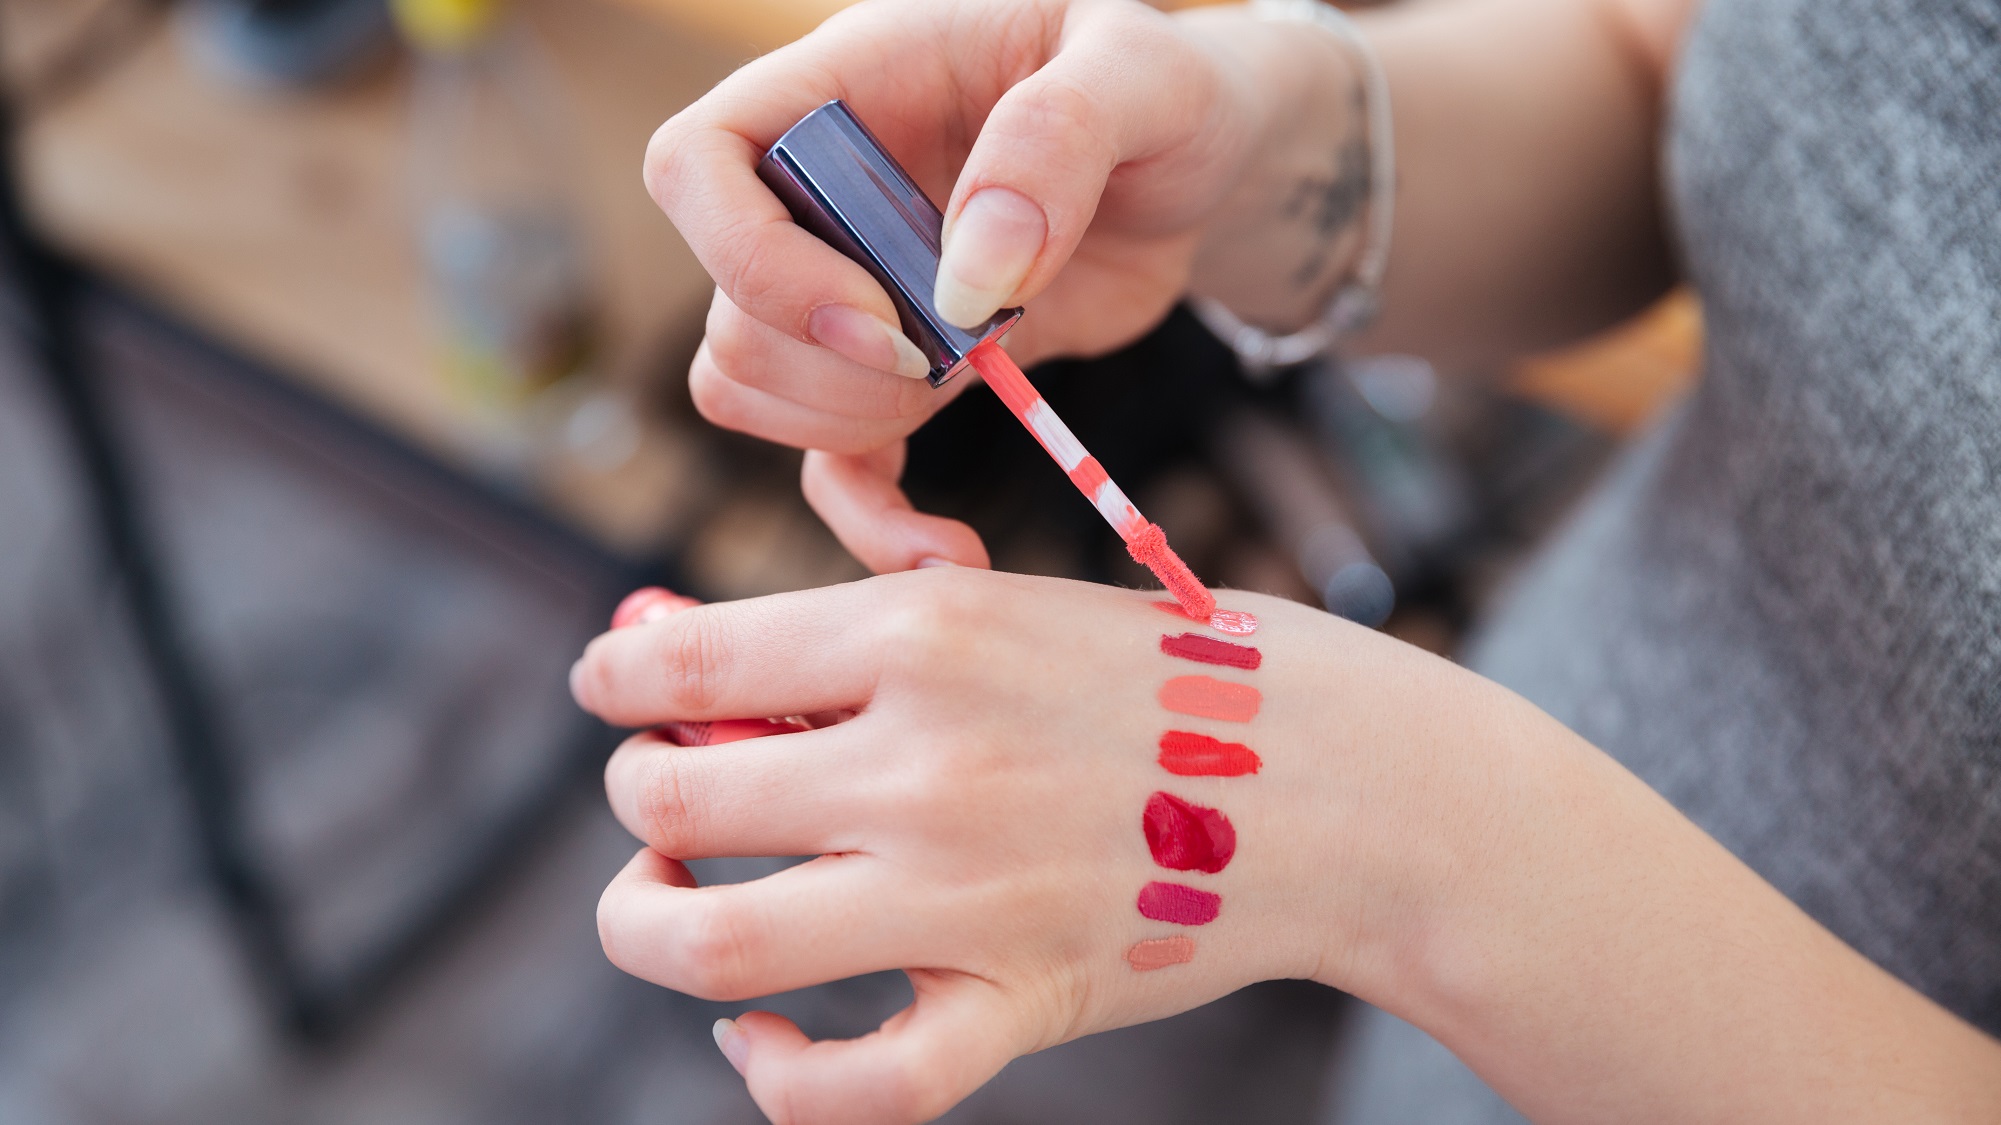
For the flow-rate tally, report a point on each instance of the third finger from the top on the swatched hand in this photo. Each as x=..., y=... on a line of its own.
x=805, y=926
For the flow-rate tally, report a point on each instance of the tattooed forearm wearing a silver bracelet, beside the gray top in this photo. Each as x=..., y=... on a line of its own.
x=1528, y=203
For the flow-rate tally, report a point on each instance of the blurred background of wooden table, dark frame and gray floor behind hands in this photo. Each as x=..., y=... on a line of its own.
x=341, y=399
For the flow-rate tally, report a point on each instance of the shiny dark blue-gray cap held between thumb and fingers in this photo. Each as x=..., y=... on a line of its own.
x=841, y=185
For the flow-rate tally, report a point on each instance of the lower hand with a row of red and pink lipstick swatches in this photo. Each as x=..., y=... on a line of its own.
x=979, y=822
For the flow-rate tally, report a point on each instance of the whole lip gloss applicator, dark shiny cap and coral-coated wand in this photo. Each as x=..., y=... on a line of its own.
x=841, y=185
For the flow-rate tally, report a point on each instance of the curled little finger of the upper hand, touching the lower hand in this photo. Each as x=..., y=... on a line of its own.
x=867, y=511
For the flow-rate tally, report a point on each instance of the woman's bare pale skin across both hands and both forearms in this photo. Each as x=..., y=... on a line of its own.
x=1420, y=836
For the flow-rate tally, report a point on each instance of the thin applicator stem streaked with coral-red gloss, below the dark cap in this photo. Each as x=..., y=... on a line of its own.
x=1144, y=539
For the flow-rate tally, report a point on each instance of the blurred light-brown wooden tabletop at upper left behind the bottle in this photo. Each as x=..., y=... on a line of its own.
x=283, y=223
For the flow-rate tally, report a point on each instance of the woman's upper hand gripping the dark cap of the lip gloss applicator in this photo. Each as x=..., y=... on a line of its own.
x=1084, y=147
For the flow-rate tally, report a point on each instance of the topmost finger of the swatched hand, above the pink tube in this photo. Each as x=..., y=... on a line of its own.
x=791, y=654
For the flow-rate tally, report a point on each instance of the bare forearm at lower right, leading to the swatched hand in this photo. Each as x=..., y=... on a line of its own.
x=1598, y=958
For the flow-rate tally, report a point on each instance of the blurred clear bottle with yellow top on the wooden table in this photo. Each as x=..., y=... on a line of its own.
x=497, y=223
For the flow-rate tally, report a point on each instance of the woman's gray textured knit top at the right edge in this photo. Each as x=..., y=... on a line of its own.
x=1784, y=612
